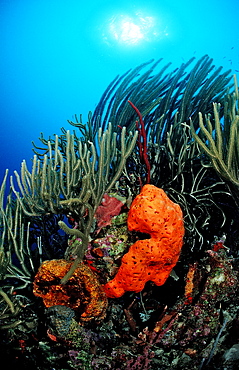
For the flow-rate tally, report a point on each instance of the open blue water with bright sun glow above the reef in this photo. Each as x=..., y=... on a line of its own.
x=57, y=57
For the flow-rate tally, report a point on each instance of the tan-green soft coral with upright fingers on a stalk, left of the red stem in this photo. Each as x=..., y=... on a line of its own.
x=73, y=179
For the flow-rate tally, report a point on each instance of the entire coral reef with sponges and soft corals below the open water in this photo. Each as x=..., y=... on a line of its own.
x=119, y=247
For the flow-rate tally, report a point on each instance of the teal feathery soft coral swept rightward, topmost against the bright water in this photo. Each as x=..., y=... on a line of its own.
x=159, y=96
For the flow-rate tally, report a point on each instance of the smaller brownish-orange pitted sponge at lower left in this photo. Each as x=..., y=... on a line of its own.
x=83, y=293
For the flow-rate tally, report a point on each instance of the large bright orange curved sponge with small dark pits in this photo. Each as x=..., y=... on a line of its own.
x=153, y=259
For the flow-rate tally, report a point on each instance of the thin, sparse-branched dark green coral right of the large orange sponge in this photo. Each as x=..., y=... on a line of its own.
x=198, y=189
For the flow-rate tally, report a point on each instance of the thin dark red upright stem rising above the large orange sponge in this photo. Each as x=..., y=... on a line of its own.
x=142, y=142
